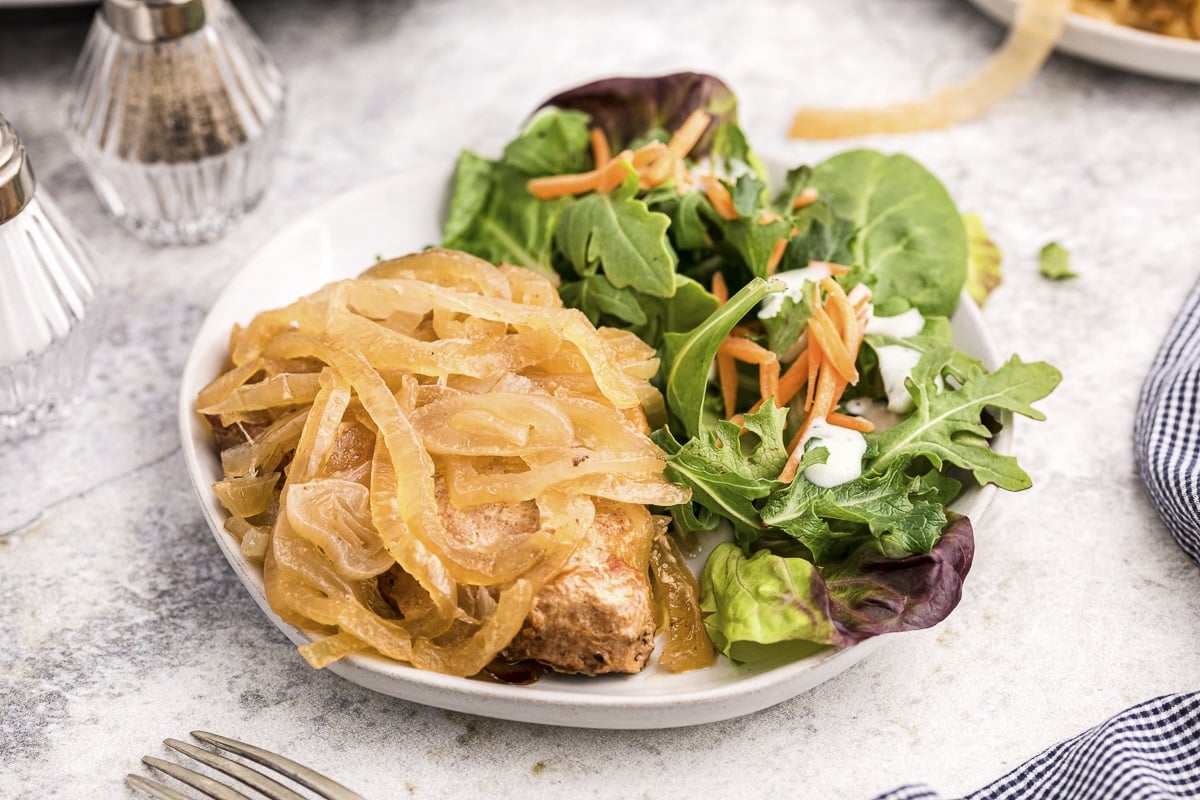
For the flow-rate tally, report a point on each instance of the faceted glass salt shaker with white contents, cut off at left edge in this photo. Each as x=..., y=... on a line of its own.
x=50, y=314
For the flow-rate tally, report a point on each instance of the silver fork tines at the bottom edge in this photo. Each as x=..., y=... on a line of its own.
x=237, y=771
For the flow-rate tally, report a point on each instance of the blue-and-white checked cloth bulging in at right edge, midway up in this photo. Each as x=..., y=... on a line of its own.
x=1167, y=430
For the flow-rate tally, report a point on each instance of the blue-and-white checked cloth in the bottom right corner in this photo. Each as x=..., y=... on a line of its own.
x=1148, y=753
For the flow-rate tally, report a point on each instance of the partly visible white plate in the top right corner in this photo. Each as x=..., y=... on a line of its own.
x=1117, y=46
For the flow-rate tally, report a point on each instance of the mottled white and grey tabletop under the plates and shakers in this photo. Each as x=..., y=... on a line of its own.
x=122, y=624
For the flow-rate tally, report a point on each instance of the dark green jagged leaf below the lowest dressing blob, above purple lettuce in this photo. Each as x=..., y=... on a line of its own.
x=881, y=506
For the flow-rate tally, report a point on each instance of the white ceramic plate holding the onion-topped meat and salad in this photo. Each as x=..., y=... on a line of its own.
x=395, y=216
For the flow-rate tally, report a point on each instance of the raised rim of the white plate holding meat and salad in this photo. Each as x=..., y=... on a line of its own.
x=544, y=703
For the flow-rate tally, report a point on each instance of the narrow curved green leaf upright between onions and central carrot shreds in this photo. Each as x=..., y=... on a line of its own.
x=688, y=357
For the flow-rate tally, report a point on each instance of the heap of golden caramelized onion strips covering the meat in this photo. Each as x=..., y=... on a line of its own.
x=446, y=429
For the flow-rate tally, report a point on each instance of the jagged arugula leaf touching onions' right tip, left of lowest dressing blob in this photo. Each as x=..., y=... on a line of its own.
x=728, y=468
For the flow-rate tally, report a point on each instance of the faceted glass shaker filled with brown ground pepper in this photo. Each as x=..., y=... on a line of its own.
x=176, y=113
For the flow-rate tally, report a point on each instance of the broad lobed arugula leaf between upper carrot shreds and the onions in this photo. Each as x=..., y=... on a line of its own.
x=621, y=234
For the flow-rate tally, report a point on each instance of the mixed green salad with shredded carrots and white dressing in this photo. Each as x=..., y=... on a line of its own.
x=815, y=402
